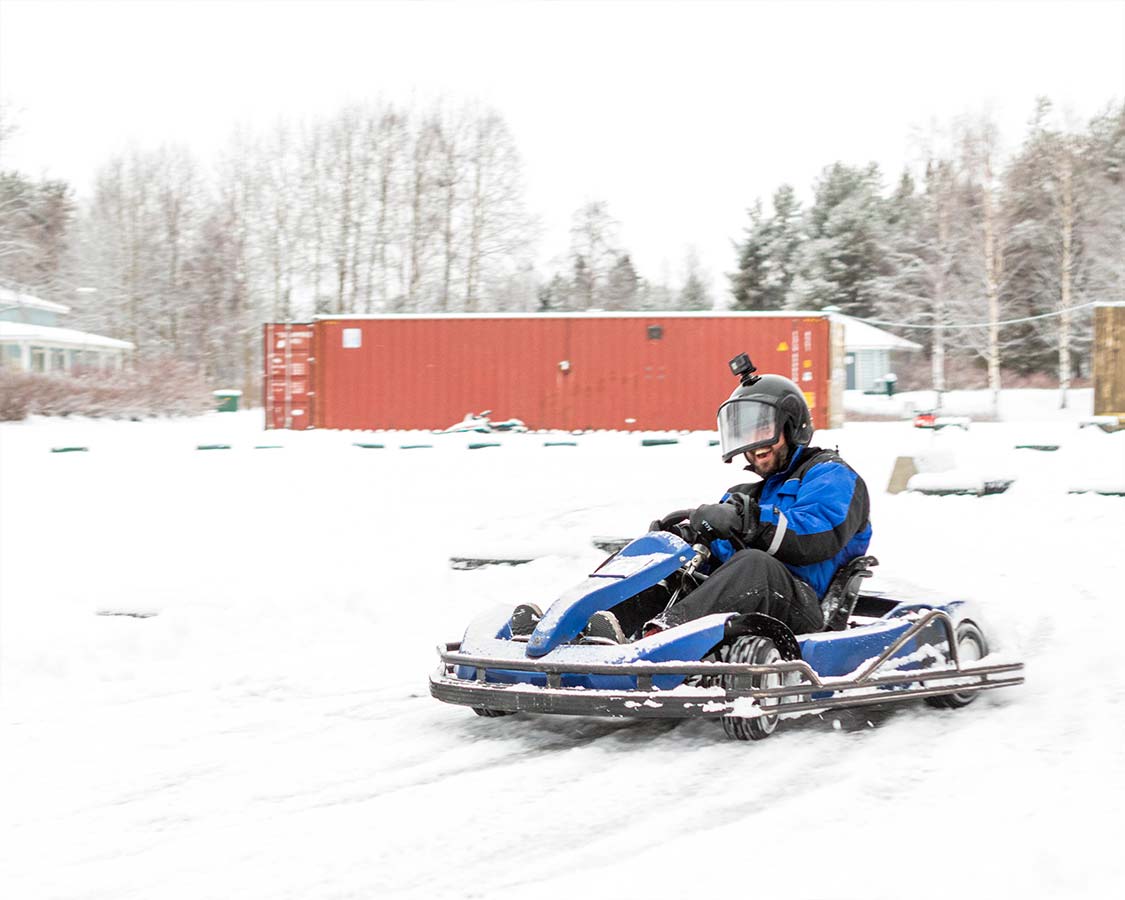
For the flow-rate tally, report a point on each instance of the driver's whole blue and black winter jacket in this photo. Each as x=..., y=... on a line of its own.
x=814, y=517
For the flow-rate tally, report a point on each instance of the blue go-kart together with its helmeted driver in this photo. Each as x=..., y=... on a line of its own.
x=748, y=610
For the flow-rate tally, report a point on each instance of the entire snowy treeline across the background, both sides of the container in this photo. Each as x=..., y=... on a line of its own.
x=386, y=210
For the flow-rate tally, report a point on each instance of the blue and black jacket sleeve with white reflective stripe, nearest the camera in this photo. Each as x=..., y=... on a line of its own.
x=814, y=518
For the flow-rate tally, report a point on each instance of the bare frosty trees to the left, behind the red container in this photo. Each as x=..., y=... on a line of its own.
x=376, y=210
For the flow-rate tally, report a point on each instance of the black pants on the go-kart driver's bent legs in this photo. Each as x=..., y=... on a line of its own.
x=752, y=581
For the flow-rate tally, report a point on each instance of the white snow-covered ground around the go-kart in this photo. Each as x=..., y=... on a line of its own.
x=266, y=730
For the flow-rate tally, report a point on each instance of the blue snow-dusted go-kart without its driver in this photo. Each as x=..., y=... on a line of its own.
x=750, y=671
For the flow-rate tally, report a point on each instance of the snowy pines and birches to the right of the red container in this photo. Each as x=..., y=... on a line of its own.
x=976, y=239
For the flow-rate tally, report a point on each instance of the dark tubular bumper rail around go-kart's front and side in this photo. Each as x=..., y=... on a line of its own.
x=800, y=690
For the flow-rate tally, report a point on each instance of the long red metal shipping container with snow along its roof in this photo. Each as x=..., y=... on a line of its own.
x=577, y=371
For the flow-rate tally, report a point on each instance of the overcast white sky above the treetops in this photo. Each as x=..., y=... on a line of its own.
x=679, y=115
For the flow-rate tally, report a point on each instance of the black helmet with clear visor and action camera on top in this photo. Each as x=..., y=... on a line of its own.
x=761, y=410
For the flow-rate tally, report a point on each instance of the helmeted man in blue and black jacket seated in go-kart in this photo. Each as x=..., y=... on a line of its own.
x=780, y=541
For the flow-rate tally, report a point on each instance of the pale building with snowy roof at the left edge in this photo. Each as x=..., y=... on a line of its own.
x=33, y=341
